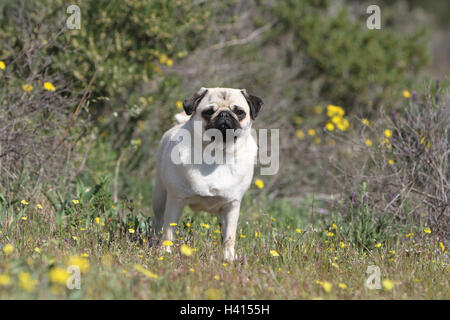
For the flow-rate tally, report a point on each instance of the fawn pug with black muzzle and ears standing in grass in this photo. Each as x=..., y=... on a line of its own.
x=218, y=119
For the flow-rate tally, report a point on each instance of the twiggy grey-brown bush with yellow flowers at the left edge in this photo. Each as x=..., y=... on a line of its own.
x=36, y=106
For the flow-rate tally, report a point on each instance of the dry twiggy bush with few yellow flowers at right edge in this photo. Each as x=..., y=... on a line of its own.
x=403, y=157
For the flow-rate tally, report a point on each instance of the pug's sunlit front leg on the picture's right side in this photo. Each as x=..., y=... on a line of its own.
x=230, y=218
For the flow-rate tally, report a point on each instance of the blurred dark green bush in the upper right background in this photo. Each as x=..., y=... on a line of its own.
x=345, y=62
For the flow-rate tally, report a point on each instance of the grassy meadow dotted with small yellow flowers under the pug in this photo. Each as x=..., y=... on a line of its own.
x=308, y=260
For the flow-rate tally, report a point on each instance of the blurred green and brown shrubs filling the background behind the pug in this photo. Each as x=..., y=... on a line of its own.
x=300, y=56
